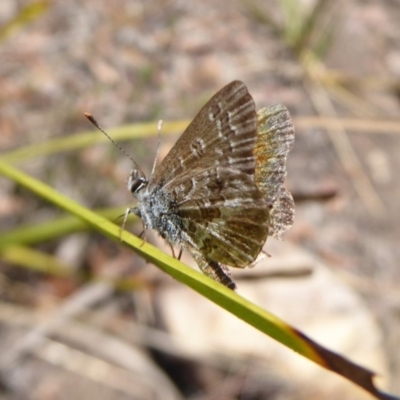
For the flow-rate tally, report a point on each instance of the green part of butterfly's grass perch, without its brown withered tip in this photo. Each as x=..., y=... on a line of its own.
x=217, y=293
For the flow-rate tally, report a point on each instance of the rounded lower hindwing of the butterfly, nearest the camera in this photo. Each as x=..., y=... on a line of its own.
x=224, y=214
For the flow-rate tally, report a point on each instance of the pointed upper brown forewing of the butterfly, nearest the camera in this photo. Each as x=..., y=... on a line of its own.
x=223, y=133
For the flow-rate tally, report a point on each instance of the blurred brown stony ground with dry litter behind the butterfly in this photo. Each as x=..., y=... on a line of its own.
x=133, y=61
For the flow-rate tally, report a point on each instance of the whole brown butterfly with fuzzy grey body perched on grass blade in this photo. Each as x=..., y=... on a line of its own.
x=209, y=196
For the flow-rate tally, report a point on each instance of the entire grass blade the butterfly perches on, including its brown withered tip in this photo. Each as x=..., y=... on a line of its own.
x=224, y=297
